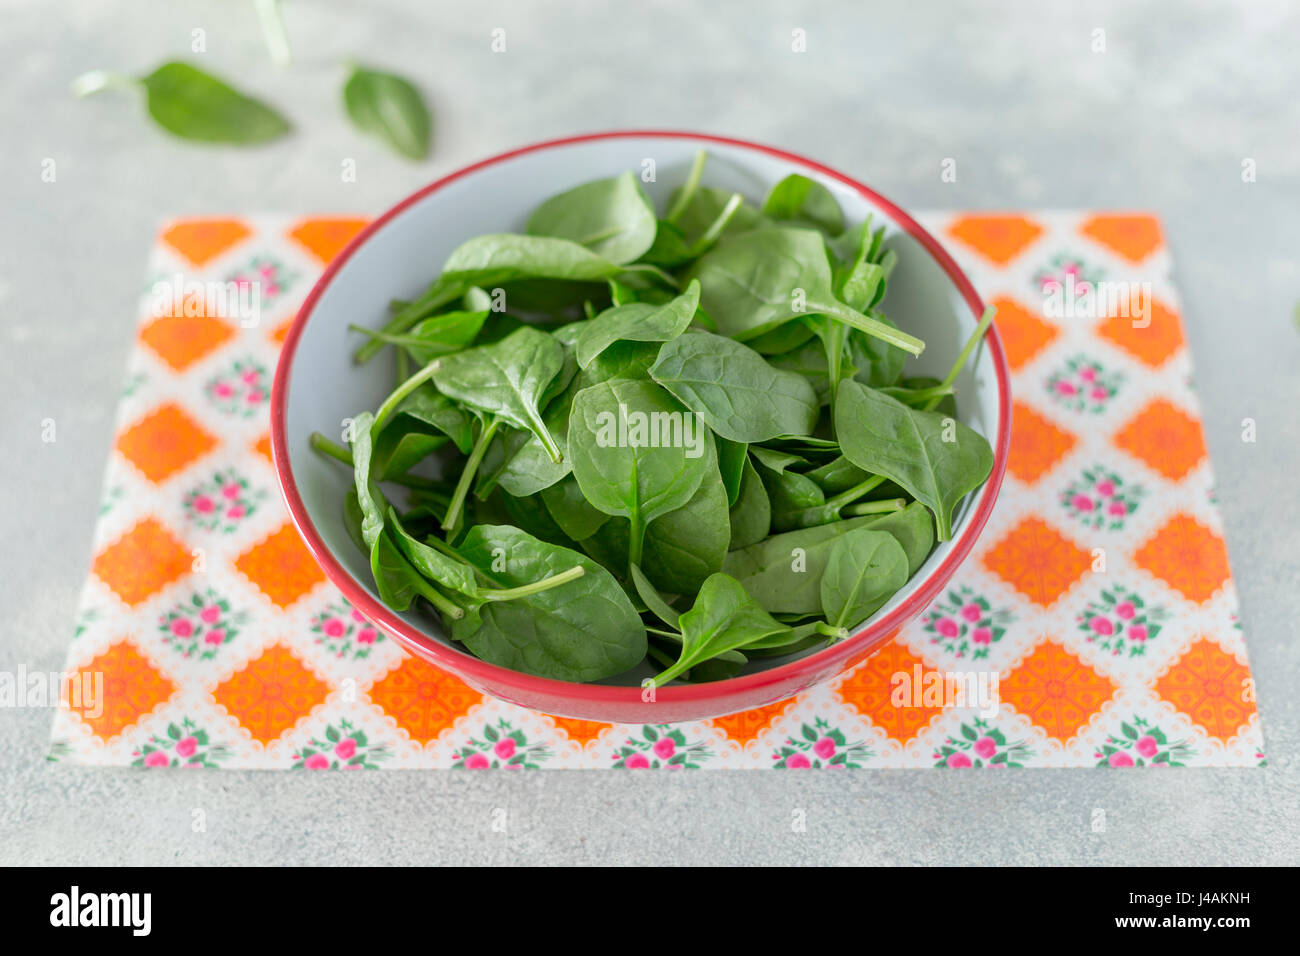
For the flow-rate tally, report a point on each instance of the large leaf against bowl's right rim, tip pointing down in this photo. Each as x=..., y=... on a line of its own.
x=934, y=457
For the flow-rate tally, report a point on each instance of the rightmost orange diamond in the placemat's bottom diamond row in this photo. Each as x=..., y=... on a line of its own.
x=1212, y=687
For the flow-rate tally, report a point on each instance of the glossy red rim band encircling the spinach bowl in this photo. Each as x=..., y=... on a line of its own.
x=805, y=669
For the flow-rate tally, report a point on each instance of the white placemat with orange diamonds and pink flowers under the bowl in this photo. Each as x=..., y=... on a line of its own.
x=1100, y=591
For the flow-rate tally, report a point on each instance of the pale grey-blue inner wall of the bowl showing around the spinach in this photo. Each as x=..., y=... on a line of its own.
x=405, y=253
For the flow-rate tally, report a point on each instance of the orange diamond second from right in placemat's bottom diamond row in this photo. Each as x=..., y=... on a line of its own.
x=1056, y=690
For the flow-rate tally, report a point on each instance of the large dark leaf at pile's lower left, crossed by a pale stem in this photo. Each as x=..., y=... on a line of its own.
x=584, y=630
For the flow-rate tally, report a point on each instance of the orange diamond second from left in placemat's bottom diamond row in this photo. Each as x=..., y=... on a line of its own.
x=271, y=694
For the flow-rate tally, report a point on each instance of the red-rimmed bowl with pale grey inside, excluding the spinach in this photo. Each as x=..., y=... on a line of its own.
x=318, y=387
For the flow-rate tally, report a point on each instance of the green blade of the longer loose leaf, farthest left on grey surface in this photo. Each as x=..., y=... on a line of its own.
x=193, y=105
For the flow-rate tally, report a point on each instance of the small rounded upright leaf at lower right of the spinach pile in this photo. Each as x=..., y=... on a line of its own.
x=864, y=570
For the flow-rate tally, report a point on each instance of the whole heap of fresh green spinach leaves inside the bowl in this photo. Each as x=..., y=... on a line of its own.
x=679, y=439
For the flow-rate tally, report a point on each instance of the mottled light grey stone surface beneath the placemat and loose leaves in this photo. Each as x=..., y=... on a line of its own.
x=1162, y=120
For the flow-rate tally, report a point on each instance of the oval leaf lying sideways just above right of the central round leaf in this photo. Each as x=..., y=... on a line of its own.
x=734, y=390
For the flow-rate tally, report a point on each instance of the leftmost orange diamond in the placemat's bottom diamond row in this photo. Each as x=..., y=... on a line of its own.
x=132, y=690
